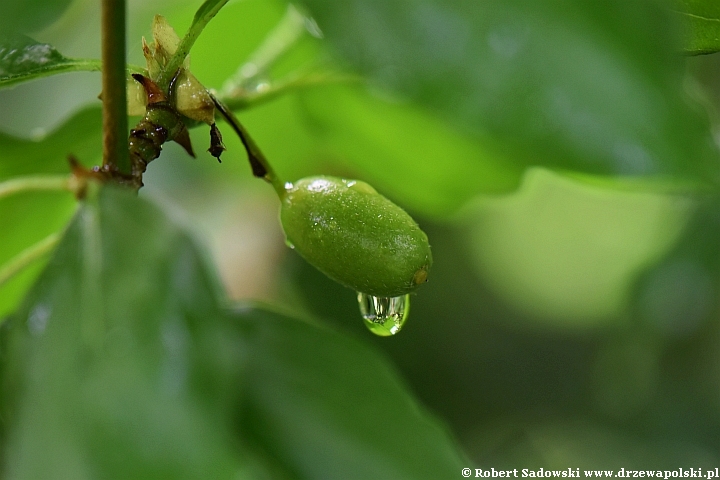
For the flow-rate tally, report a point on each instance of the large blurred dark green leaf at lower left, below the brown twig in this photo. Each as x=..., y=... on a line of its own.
x=122, y=333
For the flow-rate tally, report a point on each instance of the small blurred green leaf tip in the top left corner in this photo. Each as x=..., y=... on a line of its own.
x=29, y=15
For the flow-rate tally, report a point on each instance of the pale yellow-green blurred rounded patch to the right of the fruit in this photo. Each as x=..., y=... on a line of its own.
x=568, y=251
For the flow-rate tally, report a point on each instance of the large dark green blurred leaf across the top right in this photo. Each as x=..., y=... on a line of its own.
x=568, y=84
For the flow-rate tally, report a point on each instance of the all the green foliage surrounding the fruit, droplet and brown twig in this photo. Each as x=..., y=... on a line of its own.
x=560, y=155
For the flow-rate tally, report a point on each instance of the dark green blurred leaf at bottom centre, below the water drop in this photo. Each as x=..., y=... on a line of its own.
x=326, y=406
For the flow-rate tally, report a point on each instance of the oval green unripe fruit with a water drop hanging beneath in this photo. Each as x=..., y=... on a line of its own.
x=355, y=236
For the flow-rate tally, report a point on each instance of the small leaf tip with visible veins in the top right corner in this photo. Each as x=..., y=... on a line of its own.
x=701, y=26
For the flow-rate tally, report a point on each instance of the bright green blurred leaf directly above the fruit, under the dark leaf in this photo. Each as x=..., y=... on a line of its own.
x=409, y=155
